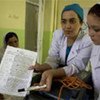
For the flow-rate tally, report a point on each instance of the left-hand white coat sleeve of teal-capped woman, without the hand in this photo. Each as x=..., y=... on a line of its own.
x=53, y=58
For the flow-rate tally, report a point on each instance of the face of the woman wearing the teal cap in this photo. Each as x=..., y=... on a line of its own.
x=70, y=23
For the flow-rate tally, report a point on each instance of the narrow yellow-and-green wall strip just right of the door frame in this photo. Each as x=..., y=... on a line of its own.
x=48, y=26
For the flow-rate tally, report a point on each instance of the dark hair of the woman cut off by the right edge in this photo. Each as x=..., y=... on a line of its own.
x=95, y=10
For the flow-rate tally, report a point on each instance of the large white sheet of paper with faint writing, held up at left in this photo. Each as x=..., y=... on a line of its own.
x=14, y=73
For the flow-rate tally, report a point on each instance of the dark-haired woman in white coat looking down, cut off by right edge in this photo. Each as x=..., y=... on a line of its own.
x=93, y=21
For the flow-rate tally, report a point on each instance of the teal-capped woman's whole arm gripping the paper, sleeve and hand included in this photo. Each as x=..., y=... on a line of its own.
x=52, y=60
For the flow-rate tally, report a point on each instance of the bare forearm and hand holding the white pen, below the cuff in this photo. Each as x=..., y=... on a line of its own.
x=48, y=76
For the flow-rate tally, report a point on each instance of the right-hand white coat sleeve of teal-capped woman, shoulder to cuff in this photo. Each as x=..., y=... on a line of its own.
x=82, y=58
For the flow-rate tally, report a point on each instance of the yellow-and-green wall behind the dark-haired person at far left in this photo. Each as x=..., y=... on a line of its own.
x=12, y=18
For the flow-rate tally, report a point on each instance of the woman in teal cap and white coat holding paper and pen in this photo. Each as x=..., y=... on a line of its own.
x=70, y=49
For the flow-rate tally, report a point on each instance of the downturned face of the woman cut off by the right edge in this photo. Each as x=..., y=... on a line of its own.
x=94, y=28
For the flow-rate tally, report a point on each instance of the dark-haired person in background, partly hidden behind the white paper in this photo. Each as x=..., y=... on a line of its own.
x=11, y=39
